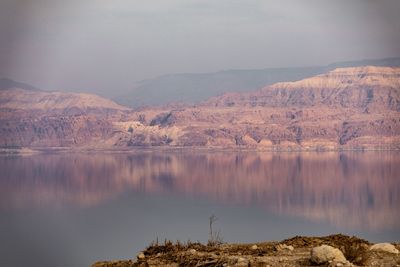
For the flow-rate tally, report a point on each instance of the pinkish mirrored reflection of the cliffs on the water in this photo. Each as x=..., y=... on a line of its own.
x=345, y=189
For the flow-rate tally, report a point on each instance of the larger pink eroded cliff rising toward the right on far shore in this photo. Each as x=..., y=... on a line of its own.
x=351, y=107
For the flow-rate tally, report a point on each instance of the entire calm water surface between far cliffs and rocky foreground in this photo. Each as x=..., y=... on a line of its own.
x=74, y=209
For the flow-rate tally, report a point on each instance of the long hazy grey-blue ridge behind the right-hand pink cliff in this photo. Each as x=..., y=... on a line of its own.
x=197, y=87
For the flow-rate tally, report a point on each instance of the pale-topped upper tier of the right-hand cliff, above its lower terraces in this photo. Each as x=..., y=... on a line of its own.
x=362, y=88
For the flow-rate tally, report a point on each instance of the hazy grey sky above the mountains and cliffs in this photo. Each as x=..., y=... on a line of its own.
x=109, y=44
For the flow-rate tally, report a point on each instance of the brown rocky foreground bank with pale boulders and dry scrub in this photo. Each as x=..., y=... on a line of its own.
x=334, y=250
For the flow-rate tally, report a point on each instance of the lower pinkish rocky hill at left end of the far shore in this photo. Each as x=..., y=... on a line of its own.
x=31, y=117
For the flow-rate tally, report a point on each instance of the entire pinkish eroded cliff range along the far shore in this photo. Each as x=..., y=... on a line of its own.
x=349, y=107
